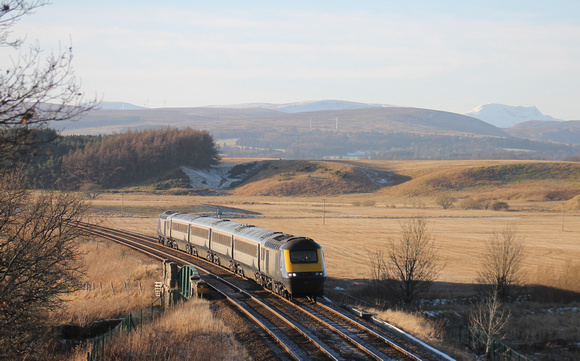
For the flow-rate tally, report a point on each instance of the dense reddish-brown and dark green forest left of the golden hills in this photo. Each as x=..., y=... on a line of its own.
x=111, y=161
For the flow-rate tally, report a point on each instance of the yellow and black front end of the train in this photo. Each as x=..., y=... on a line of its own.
x=303, y=271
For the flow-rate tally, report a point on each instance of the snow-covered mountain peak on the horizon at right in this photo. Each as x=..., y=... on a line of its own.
x=506, y=116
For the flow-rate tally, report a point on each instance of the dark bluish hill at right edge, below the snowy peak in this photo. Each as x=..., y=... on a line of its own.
x=548, y=131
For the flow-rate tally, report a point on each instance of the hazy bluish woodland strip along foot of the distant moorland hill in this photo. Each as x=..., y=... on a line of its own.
x=292, y=144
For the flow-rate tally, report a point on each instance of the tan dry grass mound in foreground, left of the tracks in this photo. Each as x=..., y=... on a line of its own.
x=187, y=332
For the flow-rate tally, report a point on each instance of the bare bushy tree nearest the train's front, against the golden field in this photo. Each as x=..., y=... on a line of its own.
x=409, y=265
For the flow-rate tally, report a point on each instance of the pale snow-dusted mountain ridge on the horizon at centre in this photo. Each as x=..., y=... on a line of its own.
x=306, y=106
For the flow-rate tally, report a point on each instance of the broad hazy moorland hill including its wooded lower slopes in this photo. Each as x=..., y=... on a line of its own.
x=372, y=132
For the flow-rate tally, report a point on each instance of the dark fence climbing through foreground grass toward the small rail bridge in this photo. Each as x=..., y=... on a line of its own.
x=131, y=322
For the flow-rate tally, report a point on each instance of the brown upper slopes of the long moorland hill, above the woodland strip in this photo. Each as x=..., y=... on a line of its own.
x=231, y=120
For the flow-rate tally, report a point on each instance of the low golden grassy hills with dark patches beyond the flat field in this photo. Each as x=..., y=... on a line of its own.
x=537, y=181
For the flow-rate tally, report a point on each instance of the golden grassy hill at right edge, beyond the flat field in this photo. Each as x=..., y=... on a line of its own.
x=523, y=180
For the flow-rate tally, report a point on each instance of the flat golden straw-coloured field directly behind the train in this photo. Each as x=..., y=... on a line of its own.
x=349, y=226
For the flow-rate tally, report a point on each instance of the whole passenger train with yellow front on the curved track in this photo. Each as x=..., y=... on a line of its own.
x=290, y=266
